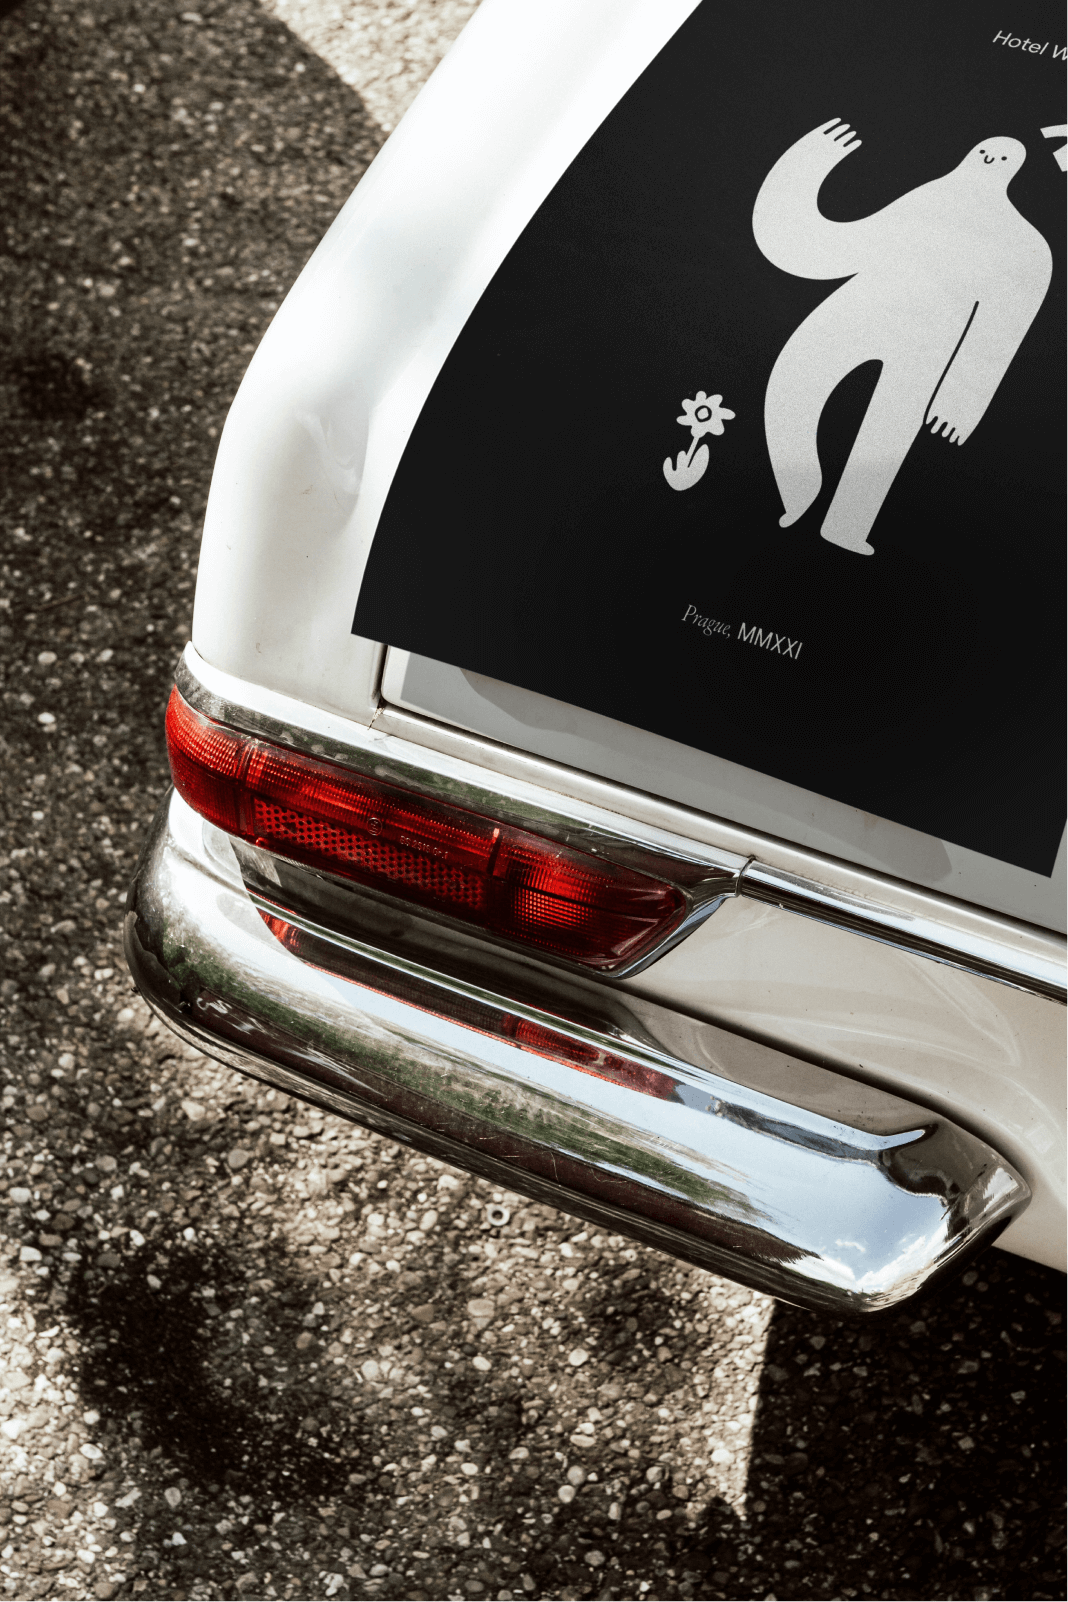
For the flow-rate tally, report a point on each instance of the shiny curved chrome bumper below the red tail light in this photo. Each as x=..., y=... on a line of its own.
x=729, y=1154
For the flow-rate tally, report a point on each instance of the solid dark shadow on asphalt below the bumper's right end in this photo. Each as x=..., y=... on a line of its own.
x=917, y=1454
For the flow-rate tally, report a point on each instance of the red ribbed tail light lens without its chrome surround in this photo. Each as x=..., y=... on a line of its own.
x=500, y=879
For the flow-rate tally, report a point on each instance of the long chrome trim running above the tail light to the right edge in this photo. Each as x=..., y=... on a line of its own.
x=946, y=932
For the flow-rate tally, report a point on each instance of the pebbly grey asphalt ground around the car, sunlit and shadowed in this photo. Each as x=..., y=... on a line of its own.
x=246, y=1350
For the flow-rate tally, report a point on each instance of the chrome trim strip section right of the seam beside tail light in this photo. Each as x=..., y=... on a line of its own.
x=1035, y=970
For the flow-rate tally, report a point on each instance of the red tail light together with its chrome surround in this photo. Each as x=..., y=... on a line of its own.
x=566, y=884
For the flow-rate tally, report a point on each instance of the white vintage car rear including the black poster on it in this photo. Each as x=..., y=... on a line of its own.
x=620, y=749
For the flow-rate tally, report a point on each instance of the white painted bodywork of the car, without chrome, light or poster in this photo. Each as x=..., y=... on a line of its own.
x=305, y=464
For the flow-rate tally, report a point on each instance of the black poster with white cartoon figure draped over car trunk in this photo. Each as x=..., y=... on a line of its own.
x=757, y=438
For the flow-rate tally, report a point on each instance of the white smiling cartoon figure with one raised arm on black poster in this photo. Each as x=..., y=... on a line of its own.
x=942, y=288
